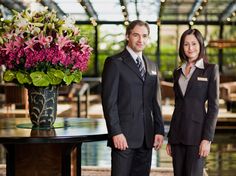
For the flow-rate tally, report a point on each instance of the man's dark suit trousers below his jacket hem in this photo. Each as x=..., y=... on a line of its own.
x=131, y=162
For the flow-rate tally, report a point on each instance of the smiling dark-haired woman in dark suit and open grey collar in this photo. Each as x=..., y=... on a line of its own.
x=196, y=88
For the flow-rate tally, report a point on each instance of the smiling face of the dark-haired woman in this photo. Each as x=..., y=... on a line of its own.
x=191, y=47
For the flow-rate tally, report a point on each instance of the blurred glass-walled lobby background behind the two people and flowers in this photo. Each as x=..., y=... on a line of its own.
x=216, y=19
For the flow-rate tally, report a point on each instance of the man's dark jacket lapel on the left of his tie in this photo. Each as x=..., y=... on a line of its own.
x=129, y=61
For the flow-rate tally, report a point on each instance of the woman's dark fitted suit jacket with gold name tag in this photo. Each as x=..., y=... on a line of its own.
x=191, y=122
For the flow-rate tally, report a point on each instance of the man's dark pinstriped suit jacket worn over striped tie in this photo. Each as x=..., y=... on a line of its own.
x=130, y=104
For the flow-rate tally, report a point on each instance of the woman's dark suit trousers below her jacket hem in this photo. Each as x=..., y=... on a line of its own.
x=186, y=160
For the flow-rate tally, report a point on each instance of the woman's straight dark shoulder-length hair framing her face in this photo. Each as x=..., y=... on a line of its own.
x=199, y=37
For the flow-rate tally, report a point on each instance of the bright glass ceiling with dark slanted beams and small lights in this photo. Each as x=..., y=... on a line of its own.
x=121, y=11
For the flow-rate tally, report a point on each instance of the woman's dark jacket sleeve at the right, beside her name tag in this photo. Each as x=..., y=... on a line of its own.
x=212, y=105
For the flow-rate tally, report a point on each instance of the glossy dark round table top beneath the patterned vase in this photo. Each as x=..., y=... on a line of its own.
x=66, y=130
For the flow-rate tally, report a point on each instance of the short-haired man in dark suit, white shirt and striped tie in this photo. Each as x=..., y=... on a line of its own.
x=131, y=105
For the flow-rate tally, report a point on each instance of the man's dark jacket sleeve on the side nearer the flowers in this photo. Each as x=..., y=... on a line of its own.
x=110, y=83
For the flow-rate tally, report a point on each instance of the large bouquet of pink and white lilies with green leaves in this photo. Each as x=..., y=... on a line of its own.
x=39, y=49
